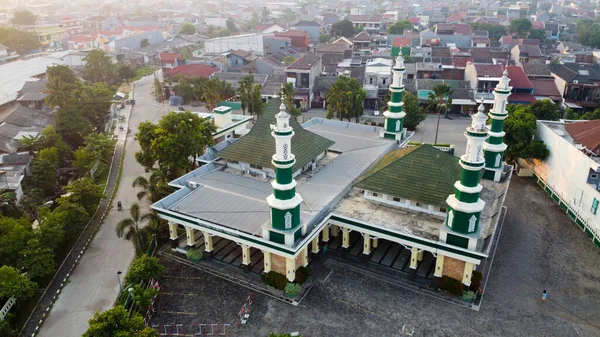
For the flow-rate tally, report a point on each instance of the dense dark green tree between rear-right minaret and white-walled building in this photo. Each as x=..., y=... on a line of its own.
x=520, y=128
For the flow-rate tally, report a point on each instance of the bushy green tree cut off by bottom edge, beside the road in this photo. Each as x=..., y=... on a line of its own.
x=116, y=322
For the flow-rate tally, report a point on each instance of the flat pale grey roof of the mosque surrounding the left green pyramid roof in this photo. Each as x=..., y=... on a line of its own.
x=356, y=148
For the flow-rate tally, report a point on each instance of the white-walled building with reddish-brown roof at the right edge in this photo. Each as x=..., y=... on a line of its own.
x=570, y=173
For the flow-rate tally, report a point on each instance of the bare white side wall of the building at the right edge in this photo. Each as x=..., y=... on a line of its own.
x=566, y=170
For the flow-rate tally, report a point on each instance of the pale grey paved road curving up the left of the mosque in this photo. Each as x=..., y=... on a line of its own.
x=93, y=284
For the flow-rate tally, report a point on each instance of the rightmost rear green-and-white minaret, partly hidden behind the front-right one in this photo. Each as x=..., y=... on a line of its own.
x=493, y=149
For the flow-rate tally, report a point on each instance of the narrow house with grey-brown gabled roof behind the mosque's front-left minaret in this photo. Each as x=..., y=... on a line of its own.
x=302, y=75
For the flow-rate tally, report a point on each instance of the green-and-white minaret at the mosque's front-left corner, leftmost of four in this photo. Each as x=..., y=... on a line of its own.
x=284, y=202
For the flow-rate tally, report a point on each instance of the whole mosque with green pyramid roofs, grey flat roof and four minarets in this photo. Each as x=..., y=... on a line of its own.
x=267, y=200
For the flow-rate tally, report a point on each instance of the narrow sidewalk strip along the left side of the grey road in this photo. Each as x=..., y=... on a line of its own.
x=51, y=295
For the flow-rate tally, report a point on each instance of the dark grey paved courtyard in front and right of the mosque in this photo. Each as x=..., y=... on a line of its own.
x=539, y=248
